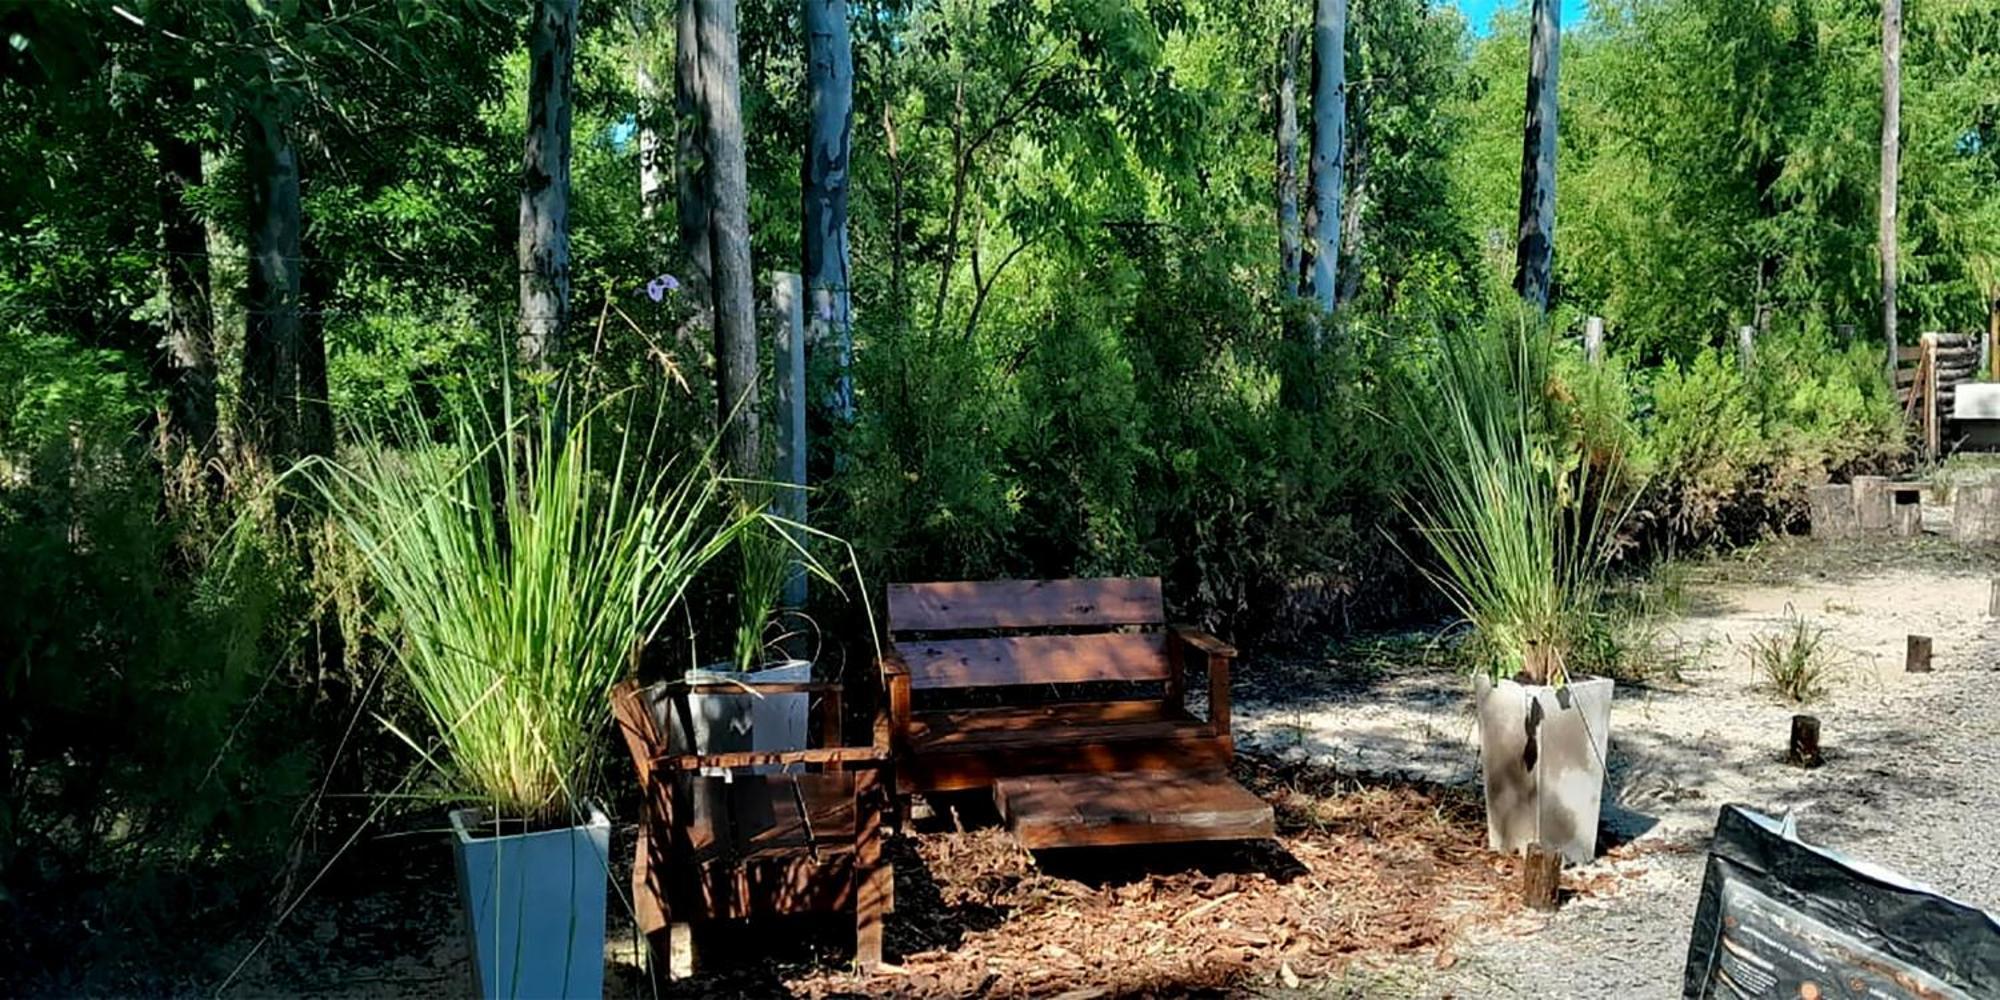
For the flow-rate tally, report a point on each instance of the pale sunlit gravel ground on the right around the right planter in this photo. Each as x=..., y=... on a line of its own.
x=1909, y=779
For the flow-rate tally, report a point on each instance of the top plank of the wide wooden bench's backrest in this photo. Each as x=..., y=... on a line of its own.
x=1025, y=605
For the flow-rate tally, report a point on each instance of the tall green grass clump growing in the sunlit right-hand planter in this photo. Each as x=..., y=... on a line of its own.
x=1519, y=519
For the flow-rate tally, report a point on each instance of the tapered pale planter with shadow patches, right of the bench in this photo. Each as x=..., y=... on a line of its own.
x=1543, y=763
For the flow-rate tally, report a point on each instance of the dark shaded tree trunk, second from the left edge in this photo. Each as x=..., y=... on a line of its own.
x=273, y=325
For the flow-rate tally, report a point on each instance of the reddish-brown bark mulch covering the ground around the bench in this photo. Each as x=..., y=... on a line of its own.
x=1363, y=871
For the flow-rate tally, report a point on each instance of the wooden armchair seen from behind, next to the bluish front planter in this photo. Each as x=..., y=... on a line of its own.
x=729, y=837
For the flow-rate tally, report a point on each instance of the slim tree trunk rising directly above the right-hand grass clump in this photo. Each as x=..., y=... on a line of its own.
x=1537, y=241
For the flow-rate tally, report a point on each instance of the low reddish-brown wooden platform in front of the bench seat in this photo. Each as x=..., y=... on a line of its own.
x=1075, y=811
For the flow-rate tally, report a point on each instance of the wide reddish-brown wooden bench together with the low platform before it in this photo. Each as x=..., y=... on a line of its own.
x=1157, y=773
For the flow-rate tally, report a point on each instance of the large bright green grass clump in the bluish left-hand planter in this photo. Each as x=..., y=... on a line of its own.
x=519, y=557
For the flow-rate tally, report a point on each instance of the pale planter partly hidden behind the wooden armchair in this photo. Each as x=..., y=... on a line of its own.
x=743, y=721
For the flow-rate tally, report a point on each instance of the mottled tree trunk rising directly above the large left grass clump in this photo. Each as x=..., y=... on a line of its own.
x=545, y=185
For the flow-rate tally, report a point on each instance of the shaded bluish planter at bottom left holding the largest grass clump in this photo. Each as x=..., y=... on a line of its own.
x=535, y=907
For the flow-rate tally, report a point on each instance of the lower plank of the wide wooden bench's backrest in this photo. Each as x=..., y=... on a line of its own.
x=987, y=663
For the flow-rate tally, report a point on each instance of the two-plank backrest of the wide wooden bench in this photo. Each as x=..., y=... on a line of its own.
x=927, y=623
